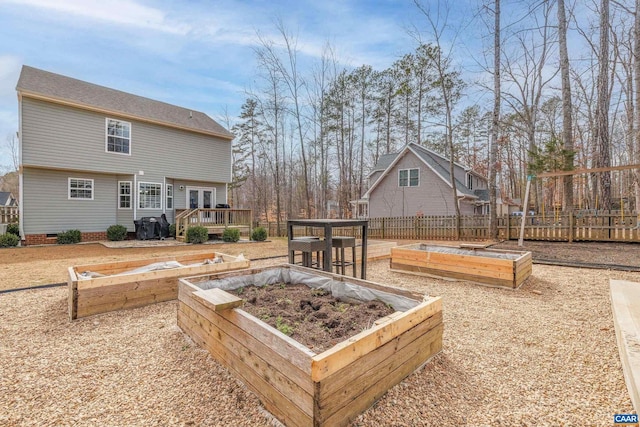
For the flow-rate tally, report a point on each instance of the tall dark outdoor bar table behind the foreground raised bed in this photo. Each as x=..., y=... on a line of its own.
x=328, y=225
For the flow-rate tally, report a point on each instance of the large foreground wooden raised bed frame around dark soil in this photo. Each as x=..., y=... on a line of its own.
x=298, y=386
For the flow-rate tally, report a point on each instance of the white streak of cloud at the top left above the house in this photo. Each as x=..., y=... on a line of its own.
x=119, y=12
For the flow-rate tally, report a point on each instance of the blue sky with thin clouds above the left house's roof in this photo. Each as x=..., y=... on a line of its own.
x=197, y=54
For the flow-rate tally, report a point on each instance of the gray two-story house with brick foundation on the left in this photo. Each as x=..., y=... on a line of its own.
x=92, y=157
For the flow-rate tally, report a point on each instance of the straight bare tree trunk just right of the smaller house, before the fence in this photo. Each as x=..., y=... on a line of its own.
x=495, y=127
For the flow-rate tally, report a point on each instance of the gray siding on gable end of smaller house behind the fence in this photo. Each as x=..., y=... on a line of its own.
x=431, y=197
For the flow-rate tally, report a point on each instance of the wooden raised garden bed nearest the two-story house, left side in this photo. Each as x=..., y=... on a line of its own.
x=116, y=291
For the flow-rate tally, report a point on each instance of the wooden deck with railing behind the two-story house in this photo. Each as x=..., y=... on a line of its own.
x=214, y=220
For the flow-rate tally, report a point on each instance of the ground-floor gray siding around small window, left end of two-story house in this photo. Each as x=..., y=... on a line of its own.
x=48, y=209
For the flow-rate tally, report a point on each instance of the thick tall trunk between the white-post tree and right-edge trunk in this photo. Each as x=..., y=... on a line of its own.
x=601, y=132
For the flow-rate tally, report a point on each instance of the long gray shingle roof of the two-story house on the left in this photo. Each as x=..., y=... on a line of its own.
x=36, y=82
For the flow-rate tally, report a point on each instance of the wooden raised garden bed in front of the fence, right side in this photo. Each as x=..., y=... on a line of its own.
x=493, y=267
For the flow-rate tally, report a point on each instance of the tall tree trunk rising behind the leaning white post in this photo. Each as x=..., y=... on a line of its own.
x=567, y=122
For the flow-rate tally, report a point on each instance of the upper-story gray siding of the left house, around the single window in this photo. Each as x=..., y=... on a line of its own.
x=62, y=137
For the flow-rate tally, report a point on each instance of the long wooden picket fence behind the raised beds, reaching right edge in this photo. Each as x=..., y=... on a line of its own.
x=600, y=226
